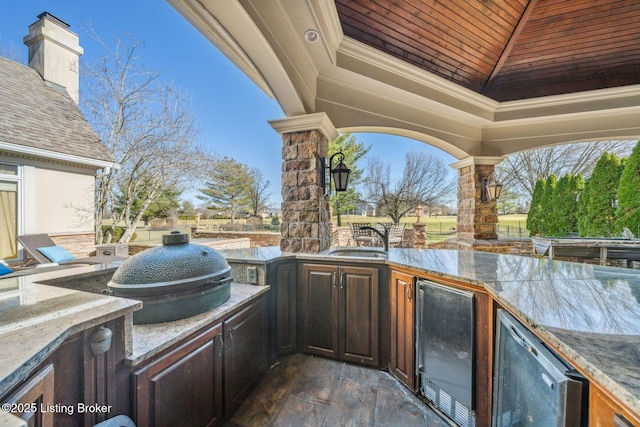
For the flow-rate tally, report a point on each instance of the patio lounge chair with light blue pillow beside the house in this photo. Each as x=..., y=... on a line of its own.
x=44, y=250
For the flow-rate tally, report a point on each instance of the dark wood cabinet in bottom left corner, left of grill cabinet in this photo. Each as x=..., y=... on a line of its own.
x=81, y=378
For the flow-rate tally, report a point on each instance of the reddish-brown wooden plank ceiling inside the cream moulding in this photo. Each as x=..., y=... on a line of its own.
x=506, y=49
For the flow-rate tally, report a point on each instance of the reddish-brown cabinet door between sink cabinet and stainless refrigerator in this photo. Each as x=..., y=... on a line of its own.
x=402, y=363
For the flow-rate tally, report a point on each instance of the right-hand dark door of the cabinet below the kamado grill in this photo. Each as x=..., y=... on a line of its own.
x=245, y=356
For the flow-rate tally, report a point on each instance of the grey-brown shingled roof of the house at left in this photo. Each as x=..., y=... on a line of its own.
x=34, y=115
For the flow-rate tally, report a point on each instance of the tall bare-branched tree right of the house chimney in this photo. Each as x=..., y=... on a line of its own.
x=147, y=127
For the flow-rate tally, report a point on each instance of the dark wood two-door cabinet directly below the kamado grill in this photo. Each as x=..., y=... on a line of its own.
x=207, y=376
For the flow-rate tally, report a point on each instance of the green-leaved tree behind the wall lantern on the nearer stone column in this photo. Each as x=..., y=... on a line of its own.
x=353, y=151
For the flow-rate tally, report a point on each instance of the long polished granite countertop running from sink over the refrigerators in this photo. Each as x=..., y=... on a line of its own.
x=589, y=313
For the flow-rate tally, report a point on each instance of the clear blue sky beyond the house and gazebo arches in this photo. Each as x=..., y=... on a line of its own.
x=231, y=111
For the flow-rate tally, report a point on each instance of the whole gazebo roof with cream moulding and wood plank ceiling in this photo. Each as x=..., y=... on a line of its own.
x=475, y=78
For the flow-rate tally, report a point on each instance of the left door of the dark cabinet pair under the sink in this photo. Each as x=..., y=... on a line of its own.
x=320, y=310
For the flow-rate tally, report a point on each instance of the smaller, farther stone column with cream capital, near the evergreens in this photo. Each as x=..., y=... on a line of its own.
x=476, y=220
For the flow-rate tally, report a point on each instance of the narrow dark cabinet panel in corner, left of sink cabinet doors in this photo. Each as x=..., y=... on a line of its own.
x=286, y=297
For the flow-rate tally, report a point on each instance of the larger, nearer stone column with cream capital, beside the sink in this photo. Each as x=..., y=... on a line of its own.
x=306, y=218
